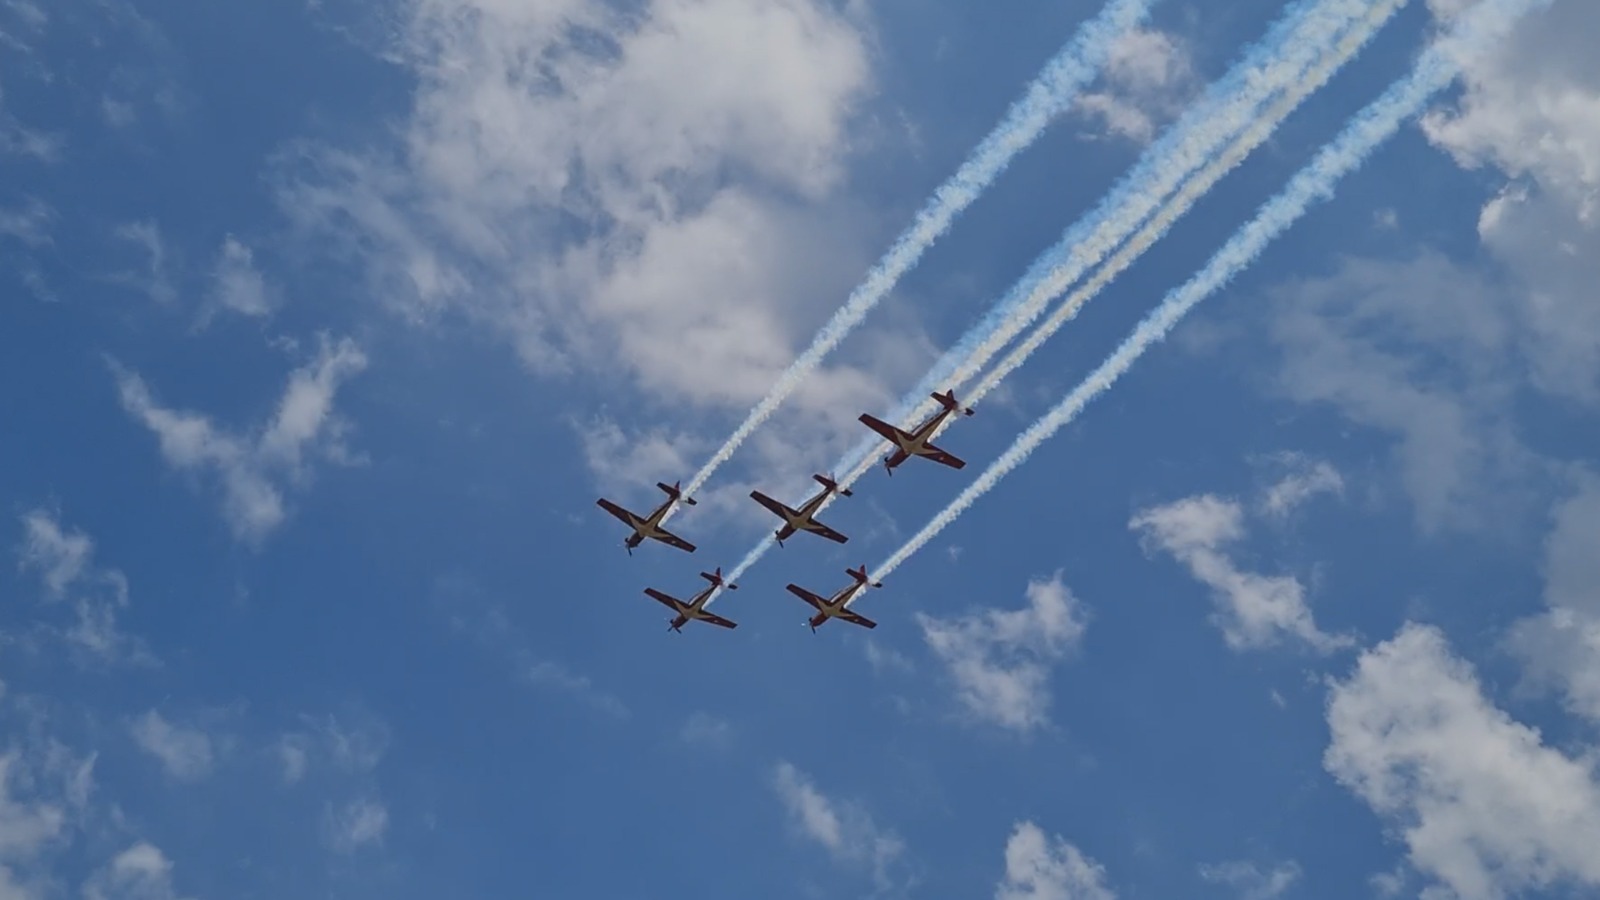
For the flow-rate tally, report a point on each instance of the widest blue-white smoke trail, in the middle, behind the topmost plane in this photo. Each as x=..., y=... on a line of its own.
x=1218, y=134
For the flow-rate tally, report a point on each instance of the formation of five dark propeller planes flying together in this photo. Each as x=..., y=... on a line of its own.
x=908, y=444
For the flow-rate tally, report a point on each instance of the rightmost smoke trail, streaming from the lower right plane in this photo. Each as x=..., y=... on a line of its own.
x=1372, y=127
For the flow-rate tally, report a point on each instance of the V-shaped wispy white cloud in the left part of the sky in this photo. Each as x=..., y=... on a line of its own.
x=252, y=467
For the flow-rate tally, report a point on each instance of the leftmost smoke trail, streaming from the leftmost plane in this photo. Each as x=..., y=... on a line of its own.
x=1047, y=97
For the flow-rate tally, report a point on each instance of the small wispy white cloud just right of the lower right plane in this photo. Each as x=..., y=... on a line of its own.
x=1001, y=661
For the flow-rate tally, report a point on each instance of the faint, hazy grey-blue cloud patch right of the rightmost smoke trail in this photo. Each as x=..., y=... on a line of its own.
x=1422, y=350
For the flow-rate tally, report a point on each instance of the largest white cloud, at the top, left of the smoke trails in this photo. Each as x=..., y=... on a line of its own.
x=654, y=196
